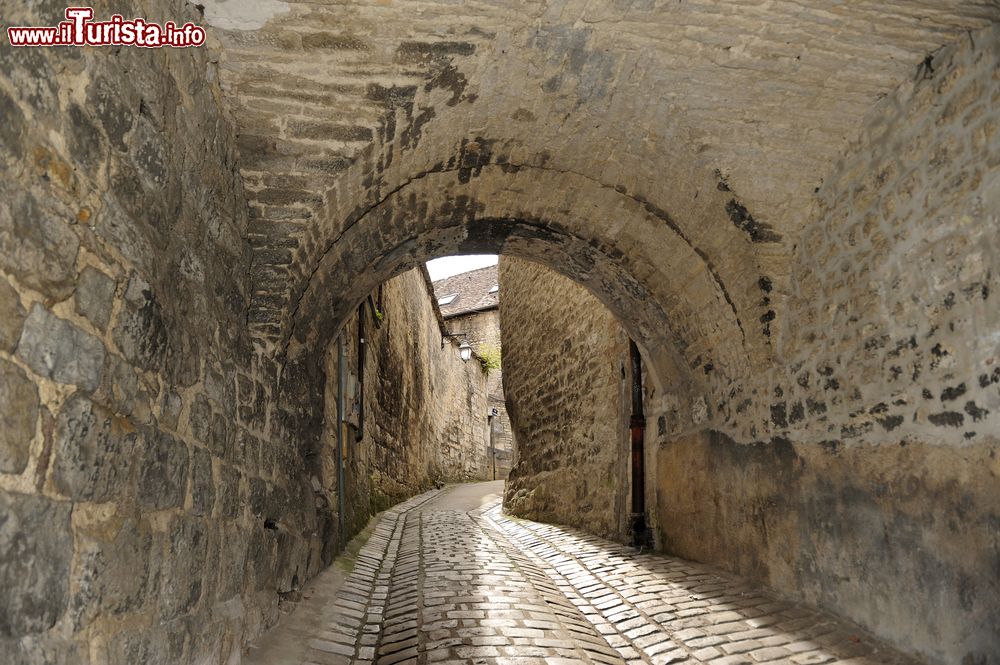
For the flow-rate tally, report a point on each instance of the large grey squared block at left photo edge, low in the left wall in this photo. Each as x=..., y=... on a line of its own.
x=36, y=547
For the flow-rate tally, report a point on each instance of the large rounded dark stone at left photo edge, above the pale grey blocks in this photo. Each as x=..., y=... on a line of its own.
x=37, y=244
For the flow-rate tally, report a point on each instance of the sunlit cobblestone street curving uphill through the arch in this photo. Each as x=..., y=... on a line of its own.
x=447, y=578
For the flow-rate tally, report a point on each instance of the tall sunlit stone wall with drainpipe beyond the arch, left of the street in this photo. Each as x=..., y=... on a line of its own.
x=424, y=412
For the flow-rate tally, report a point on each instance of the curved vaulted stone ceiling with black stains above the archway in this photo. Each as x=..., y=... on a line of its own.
x=718, y=120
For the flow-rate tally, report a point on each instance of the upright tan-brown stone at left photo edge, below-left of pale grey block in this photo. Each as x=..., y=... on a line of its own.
x=18, y=415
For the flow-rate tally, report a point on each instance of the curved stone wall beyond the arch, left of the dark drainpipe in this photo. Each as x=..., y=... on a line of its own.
x=566, y=376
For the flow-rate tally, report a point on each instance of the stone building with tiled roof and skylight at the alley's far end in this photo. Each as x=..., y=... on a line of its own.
x=470, y=306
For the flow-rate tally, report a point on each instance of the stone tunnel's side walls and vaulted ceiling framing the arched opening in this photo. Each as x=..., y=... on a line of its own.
x=791, y=208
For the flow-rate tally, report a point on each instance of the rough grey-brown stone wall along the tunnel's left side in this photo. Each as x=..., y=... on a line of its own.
x=153, y=505
